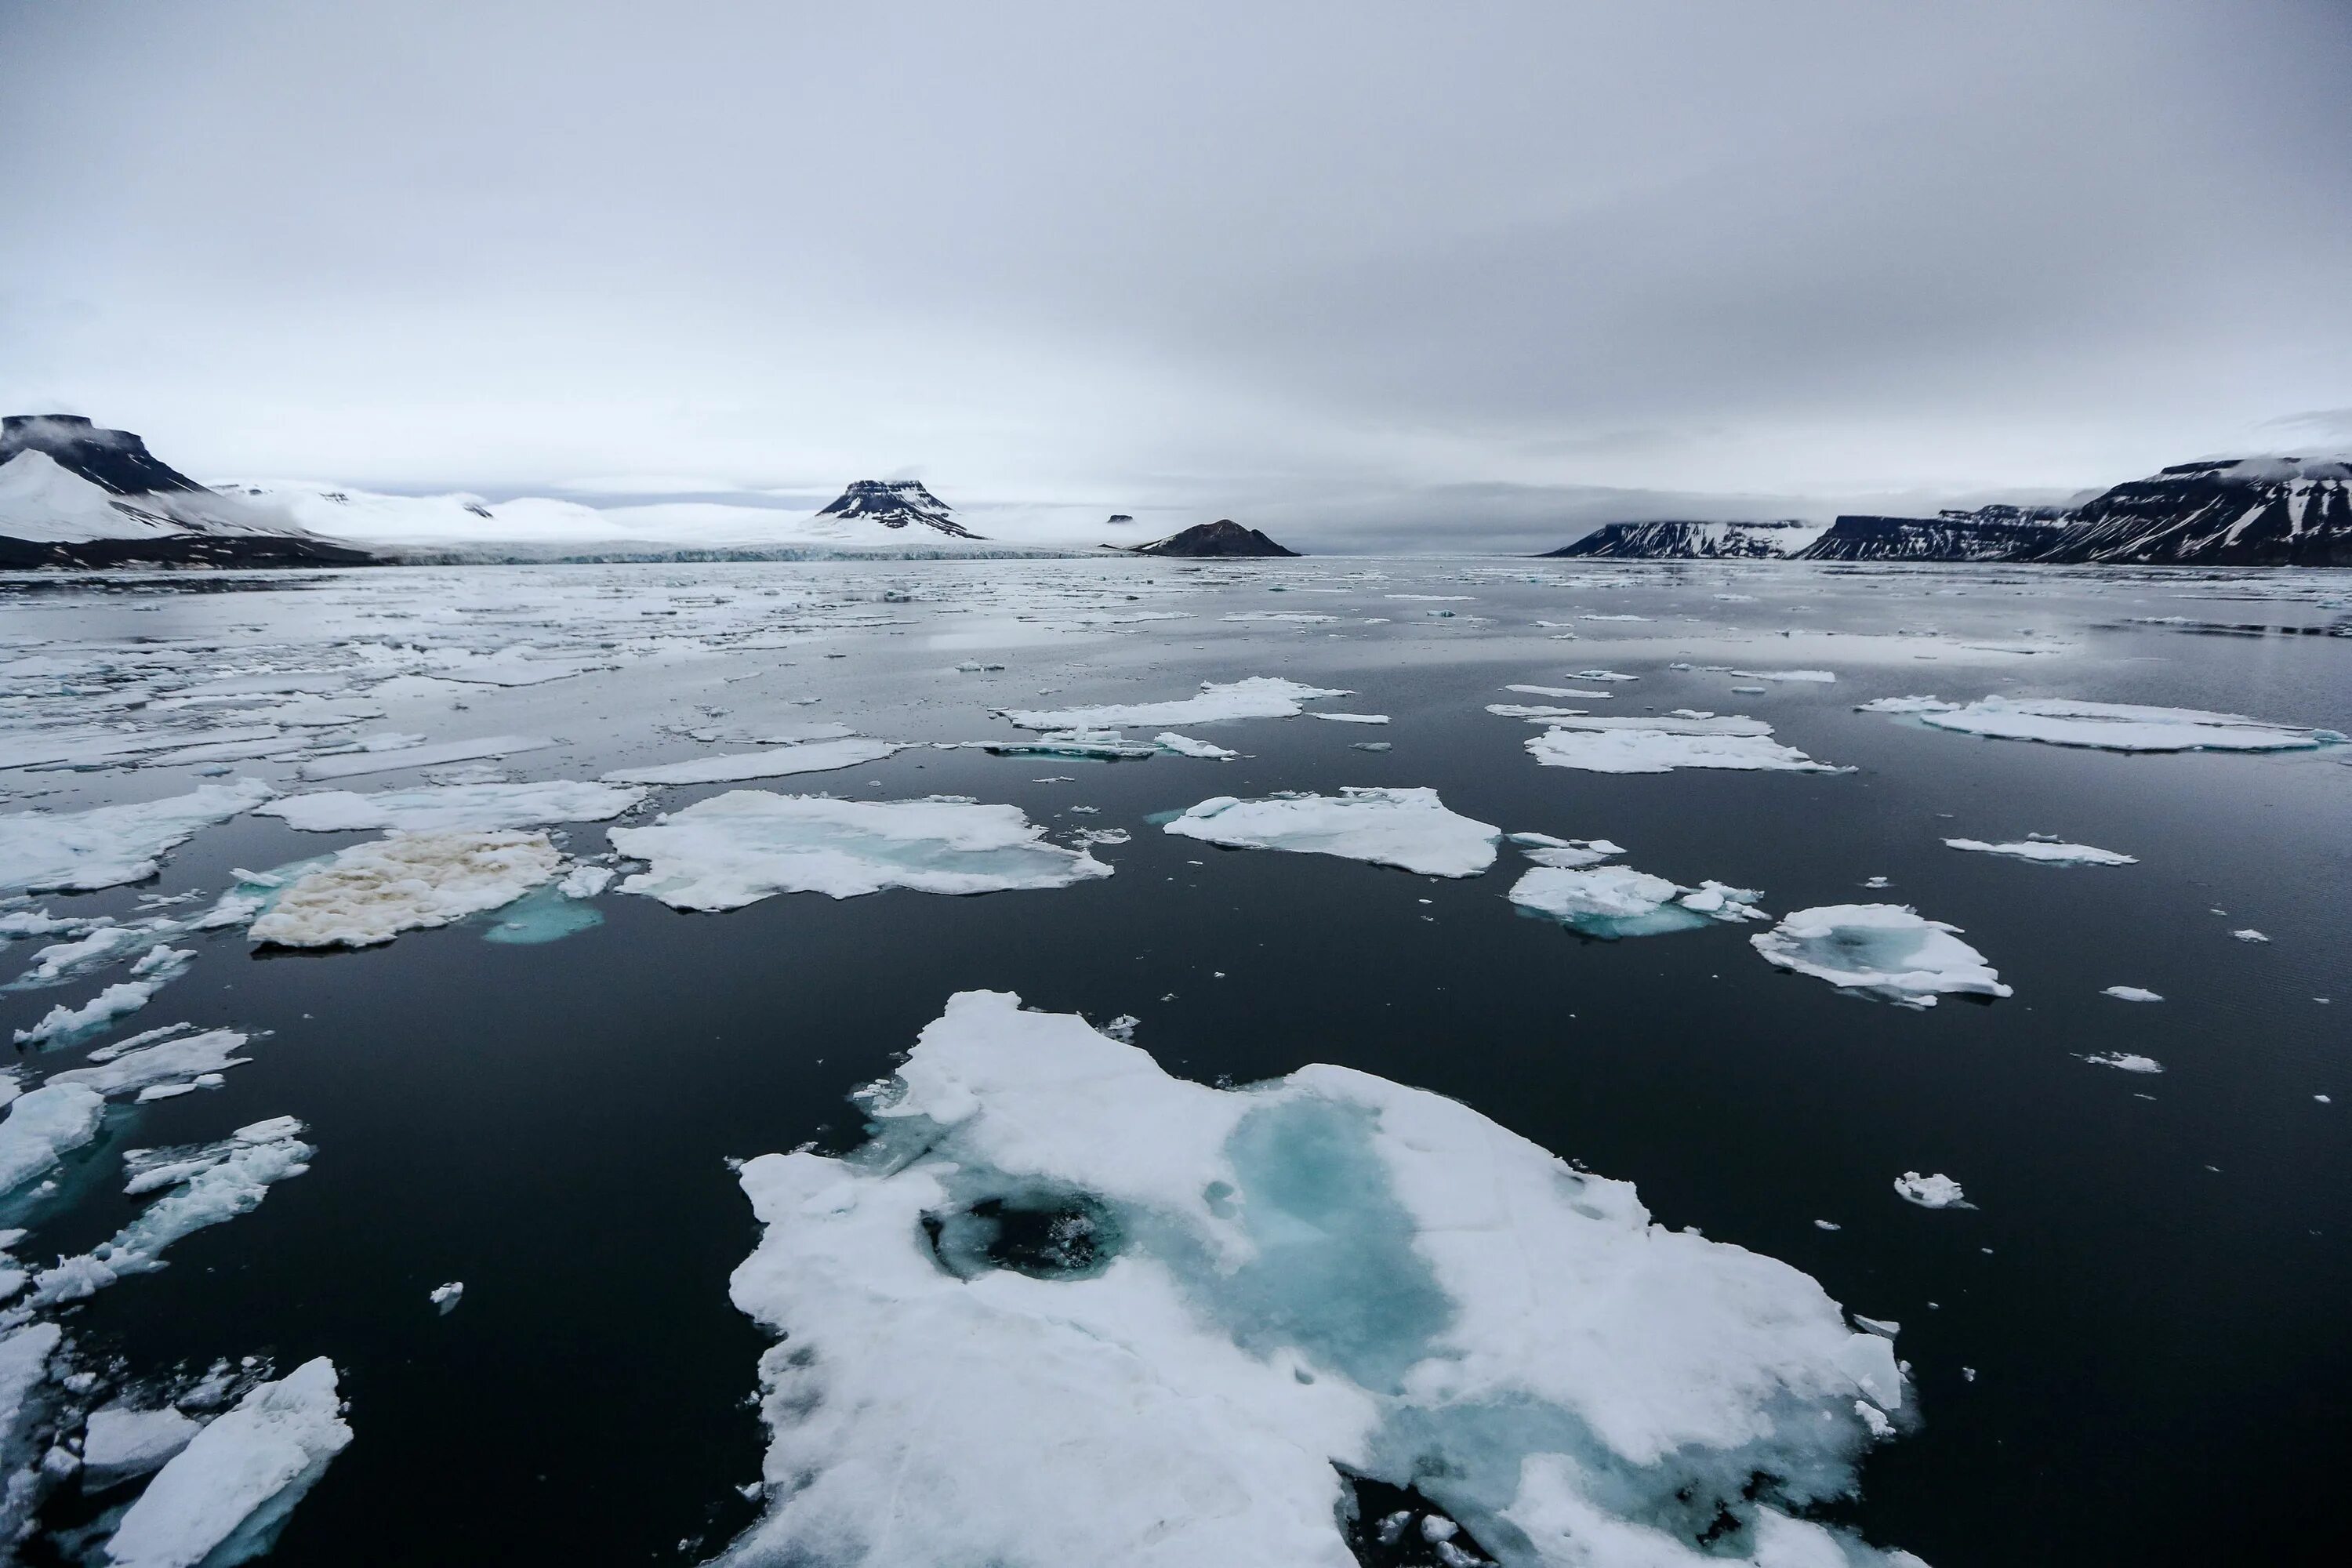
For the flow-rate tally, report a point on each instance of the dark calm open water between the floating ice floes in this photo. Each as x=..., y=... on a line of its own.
x=2151, y=1289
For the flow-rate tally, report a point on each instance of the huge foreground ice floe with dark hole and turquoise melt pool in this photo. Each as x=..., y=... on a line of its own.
x=1071, y=1311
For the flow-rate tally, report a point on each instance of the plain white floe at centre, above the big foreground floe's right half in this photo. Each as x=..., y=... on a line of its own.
x=1405, y=829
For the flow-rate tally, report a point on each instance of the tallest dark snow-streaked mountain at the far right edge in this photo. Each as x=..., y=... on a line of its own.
x=2221, y=514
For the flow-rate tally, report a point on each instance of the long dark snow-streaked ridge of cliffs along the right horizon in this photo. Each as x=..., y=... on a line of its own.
x=2264, y=511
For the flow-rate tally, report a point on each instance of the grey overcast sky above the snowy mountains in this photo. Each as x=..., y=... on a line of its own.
x=1436, y=264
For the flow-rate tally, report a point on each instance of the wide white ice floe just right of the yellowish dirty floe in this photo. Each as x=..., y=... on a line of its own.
x=749, y=845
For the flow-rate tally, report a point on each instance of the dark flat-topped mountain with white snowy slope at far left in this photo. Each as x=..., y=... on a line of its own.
x=74, y=495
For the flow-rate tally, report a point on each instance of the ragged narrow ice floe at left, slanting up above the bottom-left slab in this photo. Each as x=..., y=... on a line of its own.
x=201, y=1186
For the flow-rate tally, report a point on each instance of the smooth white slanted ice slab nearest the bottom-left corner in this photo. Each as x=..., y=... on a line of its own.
x=232, y=1489
